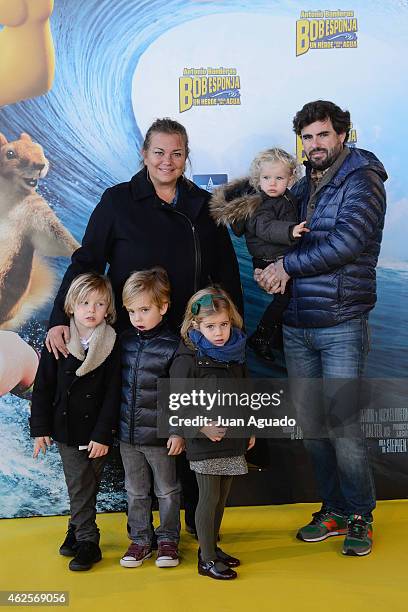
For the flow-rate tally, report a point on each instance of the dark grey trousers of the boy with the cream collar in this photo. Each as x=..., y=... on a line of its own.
x=83, y=477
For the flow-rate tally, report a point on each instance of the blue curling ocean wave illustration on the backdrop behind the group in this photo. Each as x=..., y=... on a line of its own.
x=87, y=127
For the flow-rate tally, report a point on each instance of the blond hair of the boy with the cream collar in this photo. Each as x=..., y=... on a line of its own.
x=83, y=285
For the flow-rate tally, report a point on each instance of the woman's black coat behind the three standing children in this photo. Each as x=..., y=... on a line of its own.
x=132, y=229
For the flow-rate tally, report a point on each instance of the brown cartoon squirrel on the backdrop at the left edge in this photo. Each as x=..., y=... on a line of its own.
x=28, y=229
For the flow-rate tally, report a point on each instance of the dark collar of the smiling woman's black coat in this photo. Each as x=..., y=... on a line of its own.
x=190, y=197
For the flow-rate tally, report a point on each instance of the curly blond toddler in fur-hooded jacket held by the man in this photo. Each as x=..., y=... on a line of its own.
x=262, y=208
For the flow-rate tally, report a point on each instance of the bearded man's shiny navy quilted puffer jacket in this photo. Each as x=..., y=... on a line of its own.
x=333, y=266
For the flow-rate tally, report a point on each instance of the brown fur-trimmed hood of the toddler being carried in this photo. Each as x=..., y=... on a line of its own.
x=235, y=201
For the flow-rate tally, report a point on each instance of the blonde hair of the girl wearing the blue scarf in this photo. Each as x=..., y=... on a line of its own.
x=218, y=301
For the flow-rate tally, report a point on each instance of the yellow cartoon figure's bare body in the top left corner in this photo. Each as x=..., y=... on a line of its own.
x=27, y=58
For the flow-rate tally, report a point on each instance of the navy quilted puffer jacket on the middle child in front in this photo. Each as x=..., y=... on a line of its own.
x=146, y=357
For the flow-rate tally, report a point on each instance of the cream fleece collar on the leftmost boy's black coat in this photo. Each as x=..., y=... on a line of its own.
x=100, y=347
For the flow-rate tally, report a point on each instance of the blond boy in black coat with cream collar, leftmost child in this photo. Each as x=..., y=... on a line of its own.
x=75, y=402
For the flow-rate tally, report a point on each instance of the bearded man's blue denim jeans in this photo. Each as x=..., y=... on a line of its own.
x=341, y=465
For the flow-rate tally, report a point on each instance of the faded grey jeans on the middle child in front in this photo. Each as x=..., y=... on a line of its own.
x=141, y=463
